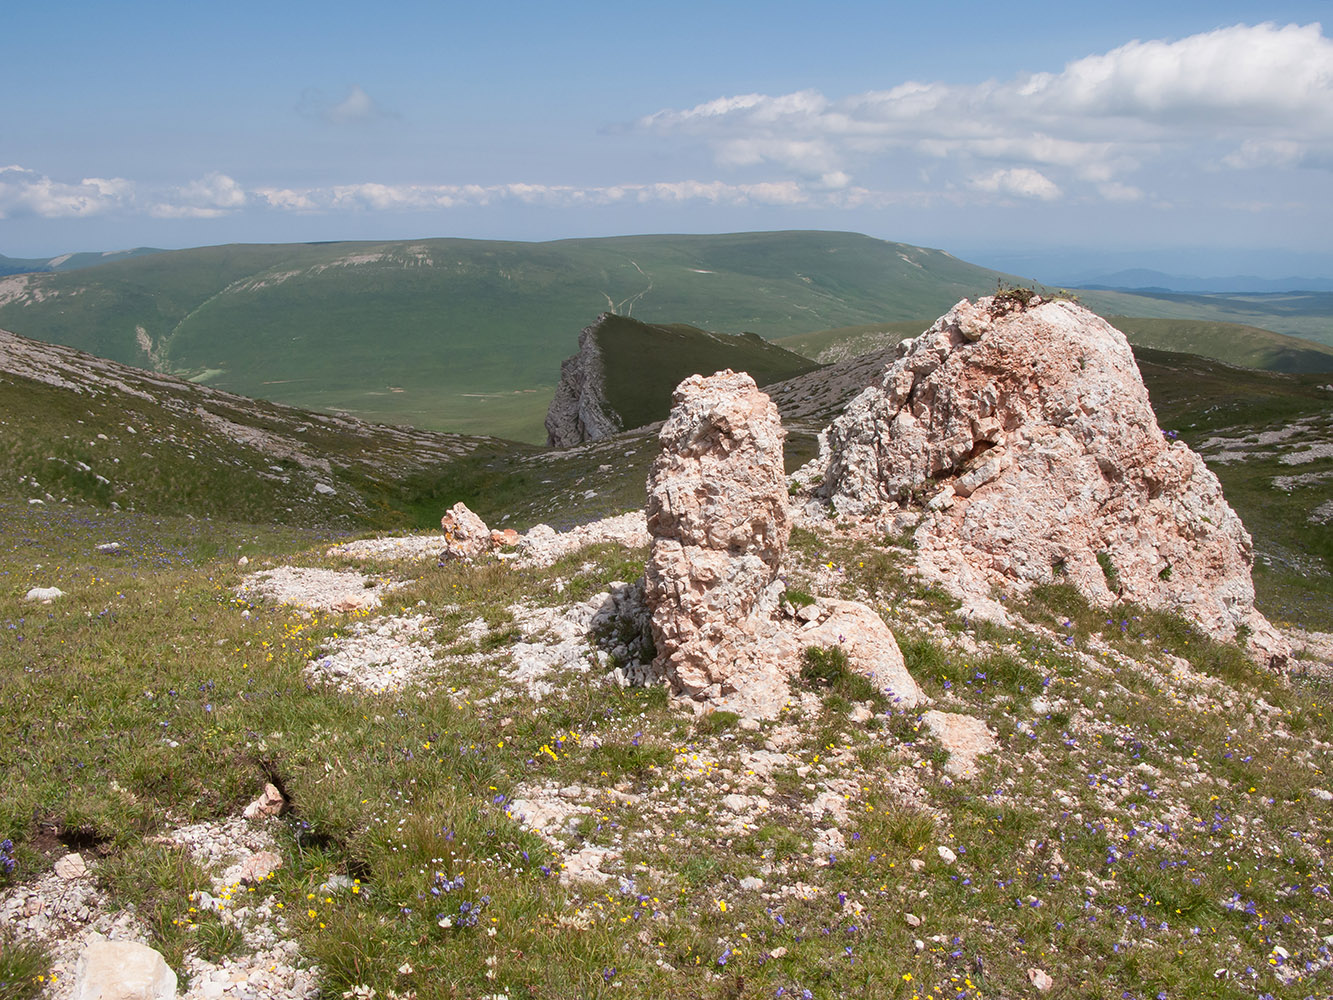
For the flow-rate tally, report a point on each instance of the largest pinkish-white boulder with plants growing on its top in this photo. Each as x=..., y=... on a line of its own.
x=1027, y=431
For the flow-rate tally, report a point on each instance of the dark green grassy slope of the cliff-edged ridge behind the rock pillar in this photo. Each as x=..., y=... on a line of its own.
x=645, y=363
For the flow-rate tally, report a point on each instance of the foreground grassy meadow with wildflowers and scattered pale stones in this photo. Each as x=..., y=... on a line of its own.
x=1152, y=821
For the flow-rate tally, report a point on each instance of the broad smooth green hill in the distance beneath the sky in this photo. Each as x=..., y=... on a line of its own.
x=462, y=335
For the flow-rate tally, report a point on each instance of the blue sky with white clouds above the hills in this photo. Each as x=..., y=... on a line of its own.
x=1186, y=137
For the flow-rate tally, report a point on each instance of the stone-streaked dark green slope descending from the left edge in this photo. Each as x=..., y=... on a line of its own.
x=79, y=430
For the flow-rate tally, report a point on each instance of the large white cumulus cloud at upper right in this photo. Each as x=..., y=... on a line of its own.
x=1264, y=93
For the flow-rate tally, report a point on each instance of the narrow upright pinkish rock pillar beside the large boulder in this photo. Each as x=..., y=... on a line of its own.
x=719, y=523
